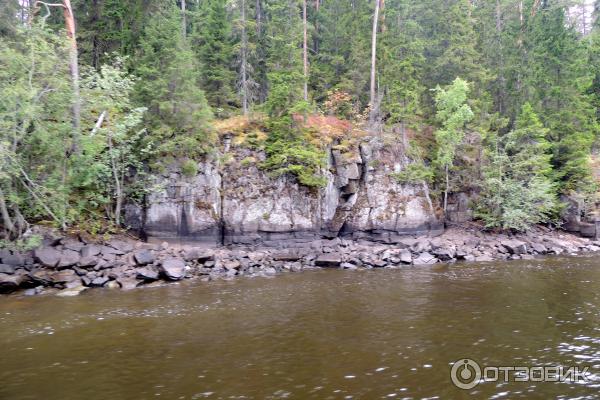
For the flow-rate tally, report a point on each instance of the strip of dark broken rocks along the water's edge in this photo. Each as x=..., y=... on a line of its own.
x=68, y=266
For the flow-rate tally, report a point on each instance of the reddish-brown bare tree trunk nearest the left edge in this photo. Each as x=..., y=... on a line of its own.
x=74, y=68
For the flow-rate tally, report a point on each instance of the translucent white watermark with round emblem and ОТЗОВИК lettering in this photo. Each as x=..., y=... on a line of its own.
x=466, y=374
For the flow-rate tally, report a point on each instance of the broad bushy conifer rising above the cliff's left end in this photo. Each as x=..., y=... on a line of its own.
x=178, y=114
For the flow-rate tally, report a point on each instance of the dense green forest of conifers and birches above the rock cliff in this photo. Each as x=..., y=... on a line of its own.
x=498, y=98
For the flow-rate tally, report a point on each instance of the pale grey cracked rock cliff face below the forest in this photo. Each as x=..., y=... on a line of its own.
x=233, y=201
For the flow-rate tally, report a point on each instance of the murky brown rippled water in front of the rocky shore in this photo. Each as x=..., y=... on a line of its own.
x=315, y=335
